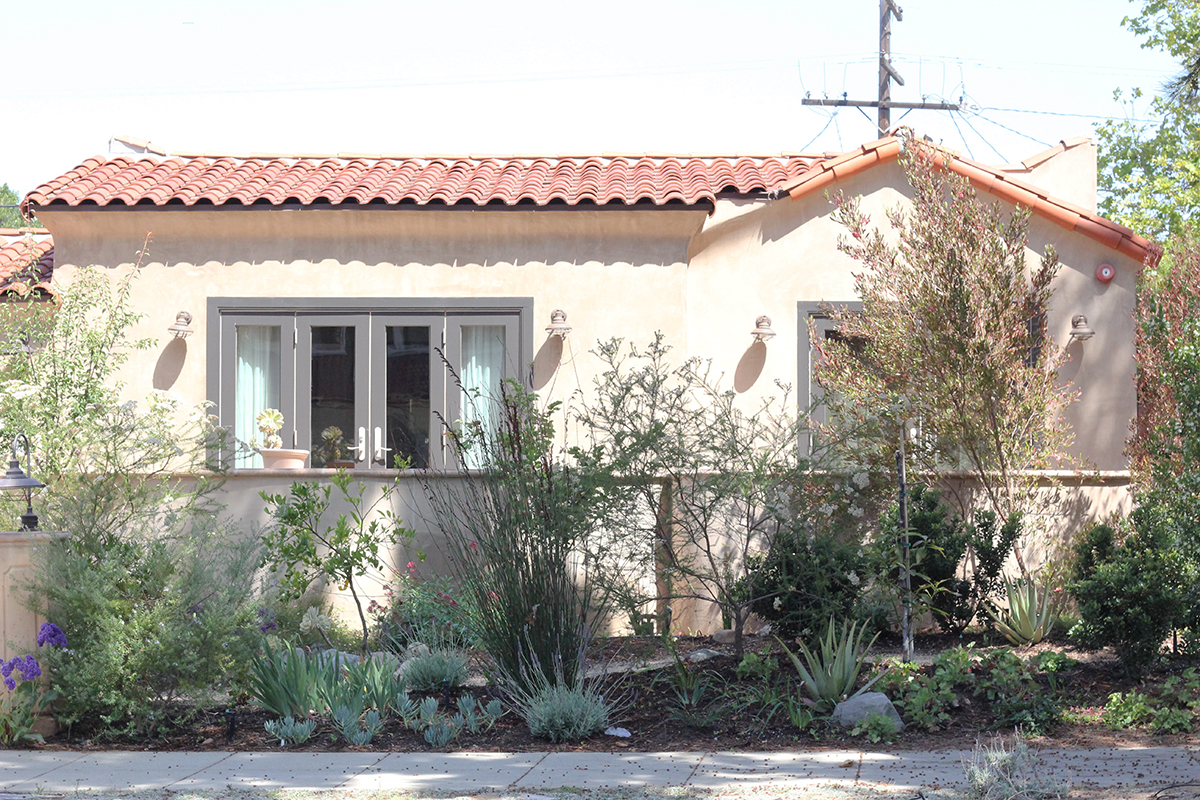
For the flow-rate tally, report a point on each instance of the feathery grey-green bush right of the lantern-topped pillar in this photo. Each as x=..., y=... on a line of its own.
x=151, y=621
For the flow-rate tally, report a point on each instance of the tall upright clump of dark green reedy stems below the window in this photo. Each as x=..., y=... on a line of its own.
x=518, y=532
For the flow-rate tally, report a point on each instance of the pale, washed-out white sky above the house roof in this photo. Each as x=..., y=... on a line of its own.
x=523, y=77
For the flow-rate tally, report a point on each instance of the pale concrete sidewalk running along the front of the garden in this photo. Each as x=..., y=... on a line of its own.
x=29, y=772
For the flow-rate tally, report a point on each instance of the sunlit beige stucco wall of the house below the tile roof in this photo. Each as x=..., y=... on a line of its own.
x=619, y=273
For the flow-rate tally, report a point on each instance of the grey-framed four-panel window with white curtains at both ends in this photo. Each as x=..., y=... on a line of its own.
x=361, y=382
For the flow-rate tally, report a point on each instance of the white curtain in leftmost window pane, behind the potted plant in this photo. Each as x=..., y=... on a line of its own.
x=259, y=386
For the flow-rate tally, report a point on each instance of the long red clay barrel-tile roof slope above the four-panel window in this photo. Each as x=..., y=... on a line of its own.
x=151, y=181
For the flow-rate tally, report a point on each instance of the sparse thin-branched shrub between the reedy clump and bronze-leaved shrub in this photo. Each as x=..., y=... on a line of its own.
x=713, y=494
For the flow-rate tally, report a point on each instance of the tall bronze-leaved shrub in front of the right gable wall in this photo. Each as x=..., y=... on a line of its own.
x=945, y=339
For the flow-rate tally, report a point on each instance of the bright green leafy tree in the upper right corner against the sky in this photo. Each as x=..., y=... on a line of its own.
x=1150, y=172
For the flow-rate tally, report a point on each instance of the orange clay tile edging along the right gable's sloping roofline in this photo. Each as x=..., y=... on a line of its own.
x=994, y=181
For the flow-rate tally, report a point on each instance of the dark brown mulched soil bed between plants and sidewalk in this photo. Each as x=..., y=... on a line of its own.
x=650, y=701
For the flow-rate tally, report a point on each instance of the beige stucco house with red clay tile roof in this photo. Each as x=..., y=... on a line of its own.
x=323, y=286
